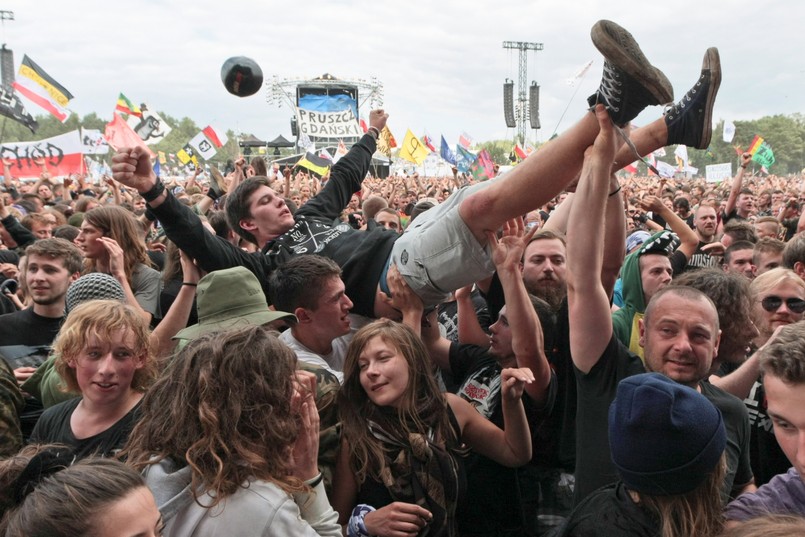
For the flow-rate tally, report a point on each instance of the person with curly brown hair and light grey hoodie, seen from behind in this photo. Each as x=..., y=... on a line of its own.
x=228, y=441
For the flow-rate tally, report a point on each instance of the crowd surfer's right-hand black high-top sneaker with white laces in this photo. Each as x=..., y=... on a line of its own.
x=690, y=121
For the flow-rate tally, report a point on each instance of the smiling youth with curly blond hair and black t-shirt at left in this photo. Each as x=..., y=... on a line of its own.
x=103, y=353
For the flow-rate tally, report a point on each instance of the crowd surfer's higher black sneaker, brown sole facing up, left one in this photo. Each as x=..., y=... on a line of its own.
x=629, y=83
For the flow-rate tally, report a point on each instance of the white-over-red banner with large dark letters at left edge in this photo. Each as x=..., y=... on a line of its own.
x=62, y=155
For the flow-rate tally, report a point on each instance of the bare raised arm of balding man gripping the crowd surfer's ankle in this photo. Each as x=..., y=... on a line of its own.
x=589, y=312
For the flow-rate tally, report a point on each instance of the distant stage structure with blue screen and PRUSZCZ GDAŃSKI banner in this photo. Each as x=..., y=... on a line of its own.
x=326, y=109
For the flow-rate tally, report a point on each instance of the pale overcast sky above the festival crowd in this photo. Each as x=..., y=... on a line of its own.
x=441, y=61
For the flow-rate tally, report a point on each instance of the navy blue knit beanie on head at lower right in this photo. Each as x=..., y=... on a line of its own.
x=665, y=438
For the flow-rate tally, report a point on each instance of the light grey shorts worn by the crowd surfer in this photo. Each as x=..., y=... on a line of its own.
x=438, y=253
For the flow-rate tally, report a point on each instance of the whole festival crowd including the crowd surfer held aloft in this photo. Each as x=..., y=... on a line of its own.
x=559, y=351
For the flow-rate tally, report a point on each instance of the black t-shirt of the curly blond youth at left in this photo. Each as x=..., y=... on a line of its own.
x=54, y=427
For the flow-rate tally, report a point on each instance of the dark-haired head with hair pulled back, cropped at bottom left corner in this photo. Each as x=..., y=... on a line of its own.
x=45, y=492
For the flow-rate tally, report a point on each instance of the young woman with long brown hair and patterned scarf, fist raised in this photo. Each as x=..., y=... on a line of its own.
x=400, y=470
